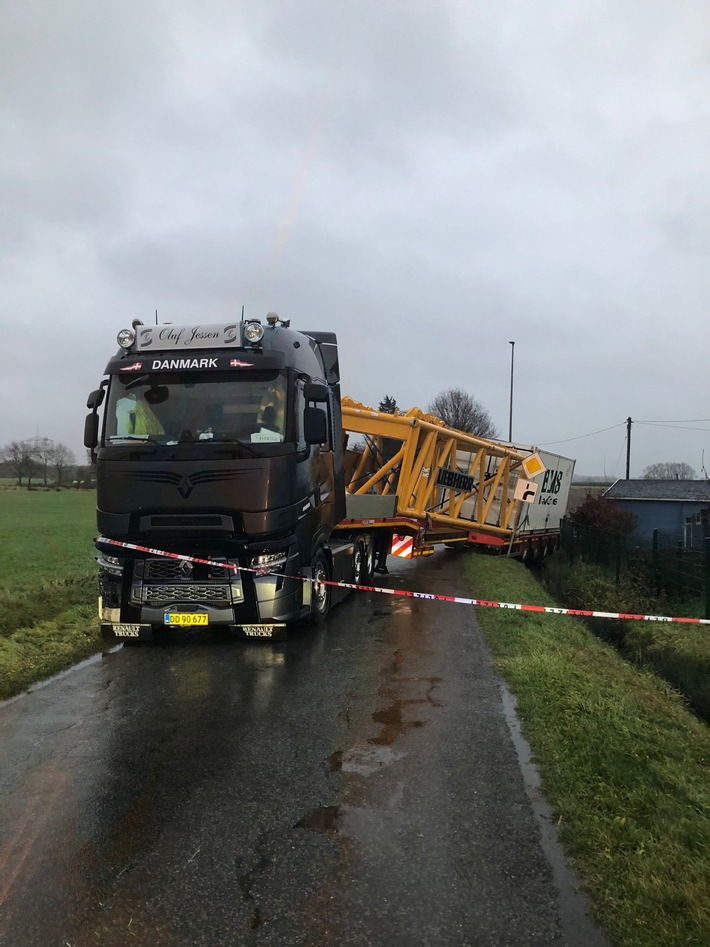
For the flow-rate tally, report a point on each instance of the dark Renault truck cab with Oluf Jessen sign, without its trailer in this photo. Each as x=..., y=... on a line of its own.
x=219, y=462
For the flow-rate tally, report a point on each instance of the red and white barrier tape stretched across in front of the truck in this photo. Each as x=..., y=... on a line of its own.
x=576, y=612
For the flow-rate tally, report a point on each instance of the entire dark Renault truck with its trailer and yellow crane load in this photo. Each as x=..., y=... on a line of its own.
x=237, y=488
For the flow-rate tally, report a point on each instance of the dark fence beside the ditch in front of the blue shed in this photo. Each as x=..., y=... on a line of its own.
x=682, y=575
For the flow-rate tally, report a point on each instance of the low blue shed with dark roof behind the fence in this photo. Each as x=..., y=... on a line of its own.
x=678, y=509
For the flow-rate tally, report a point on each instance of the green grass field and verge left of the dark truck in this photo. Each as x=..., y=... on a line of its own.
x=48, y=617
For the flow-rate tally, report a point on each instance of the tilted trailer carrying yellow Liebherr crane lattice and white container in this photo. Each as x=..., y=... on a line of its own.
x=417, y=477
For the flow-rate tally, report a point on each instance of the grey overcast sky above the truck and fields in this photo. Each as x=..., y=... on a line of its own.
x=430, y=179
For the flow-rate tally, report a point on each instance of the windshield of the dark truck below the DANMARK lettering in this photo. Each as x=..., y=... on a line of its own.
x=172, y=408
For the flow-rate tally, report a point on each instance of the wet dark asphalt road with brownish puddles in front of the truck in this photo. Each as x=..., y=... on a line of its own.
x=356, y=785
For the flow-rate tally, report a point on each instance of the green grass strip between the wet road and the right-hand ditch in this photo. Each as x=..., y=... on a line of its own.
x=625, y=765
